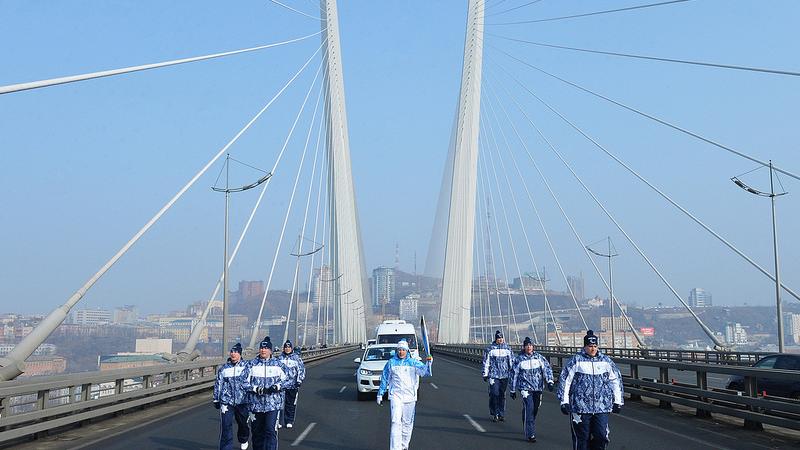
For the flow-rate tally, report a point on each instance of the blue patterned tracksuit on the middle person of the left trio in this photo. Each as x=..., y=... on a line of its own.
x=266, y=408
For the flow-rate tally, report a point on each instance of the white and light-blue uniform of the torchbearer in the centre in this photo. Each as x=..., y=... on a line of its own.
x=401, y=379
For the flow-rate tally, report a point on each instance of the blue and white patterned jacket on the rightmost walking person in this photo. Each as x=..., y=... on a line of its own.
x=590, y=385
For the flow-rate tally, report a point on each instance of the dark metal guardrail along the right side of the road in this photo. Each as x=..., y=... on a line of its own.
x=748, y=405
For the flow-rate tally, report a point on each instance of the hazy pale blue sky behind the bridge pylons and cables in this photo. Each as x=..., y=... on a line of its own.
x=89, y=163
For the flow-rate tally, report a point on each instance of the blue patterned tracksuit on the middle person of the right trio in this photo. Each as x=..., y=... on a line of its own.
x=529, y=373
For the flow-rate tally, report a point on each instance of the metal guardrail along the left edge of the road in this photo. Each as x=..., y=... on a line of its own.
x=34, y=405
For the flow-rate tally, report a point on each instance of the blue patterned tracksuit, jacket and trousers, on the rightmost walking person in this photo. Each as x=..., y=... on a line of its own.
x=591, y=386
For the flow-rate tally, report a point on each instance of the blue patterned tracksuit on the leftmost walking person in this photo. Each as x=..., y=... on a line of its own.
x=231, y=390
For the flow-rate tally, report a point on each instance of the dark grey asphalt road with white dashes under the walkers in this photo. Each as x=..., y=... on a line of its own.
x=452, y=413
